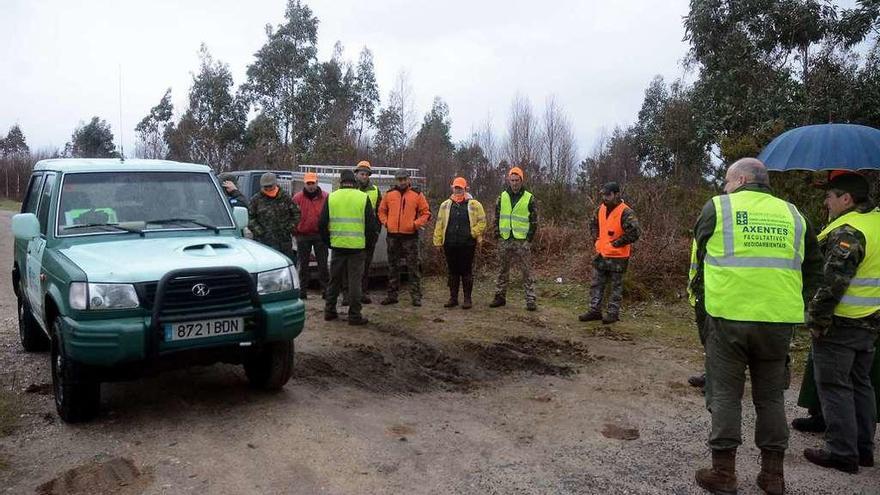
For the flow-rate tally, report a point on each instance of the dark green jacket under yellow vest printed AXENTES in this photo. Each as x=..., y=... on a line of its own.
x=758, y=241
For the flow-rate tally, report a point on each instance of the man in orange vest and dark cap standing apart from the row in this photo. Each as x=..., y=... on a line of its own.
x=615, y=228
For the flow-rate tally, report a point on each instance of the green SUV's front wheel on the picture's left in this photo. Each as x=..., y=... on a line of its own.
x=77, y=398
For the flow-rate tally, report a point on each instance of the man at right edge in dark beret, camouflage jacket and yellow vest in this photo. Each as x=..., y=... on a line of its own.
x=844, y=319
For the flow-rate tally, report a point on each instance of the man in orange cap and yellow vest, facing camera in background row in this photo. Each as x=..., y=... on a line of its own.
x=516, y=223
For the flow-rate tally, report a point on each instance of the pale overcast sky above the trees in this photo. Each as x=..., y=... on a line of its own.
x=61, y=59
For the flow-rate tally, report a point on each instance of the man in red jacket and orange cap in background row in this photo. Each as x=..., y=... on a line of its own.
x=310, y=202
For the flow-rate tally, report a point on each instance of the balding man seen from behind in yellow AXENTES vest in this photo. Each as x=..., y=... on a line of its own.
x=755, y=255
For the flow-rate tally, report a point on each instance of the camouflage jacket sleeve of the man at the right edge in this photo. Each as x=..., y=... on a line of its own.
x=844, y=250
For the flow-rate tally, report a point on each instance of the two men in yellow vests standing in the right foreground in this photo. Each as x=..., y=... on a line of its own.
x=758, y=269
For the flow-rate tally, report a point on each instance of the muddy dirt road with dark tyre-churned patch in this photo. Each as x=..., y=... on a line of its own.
x=421, y=400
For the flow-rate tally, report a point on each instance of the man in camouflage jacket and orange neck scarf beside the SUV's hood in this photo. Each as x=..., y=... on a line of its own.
x=273, y=216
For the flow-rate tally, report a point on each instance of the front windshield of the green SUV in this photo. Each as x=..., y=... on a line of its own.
x=90, y=202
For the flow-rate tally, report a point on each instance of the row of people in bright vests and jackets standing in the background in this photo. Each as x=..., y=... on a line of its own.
x=348, y=222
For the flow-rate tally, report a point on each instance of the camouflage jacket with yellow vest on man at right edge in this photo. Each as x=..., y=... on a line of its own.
x=849, y=294
